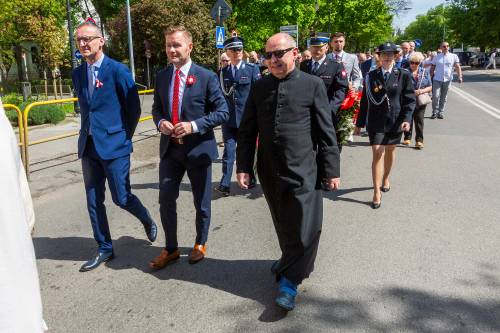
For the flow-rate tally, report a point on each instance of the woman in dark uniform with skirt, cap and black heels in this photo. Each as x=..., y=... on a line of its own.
x=388, y=102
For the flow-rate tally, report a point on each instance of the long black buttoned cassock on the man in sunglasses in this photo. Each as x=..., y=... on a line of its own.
x=297, y=149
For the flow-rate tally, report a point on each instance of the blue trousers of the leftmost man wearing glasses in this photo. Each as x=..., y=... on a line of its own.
x=116, y=171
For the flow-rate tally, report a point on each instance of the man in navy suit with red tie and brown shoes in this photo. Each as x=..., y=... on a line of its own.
x=188, y=104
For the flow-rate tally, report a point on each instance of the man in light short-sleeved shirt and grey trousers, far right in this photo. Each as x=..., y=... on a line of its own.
x=442, y=68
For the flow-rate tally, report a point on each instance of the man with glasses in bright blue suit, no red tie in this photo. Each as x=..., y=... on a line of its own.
x=110, y=111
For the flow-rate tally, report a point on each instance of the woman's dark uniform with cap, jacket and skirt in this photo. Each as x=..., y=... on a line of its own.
x=388, y=101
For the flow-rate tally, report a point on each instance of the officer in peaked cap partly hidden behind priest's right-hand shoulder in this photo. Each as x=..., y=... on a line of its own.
x=331, y=72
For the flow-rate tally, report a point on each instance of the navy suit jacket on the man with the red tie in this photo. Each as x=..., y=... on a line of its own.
x=202, y=103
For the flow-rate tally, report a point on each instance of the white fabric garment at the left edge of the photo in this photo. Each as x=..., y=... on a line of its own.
x=20, y=302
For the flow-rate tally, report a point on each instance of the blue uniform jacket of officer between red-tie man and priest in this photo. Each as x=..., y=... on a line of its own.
x=247, y=75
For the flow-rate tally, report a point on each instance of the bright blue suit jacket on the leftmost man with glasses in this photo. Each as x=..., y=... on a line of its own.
x=112, y=113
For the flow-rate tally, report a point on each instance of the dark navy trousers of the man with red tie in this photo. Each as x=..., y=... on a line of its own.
x=173, y=166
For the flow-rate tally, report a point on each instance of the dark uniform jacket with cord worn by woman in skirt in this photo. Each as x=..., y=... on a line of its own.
x=399, y=89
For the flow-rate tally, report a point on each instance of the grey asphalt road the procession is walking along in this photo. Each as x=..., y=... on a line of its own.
x=426, y=261
